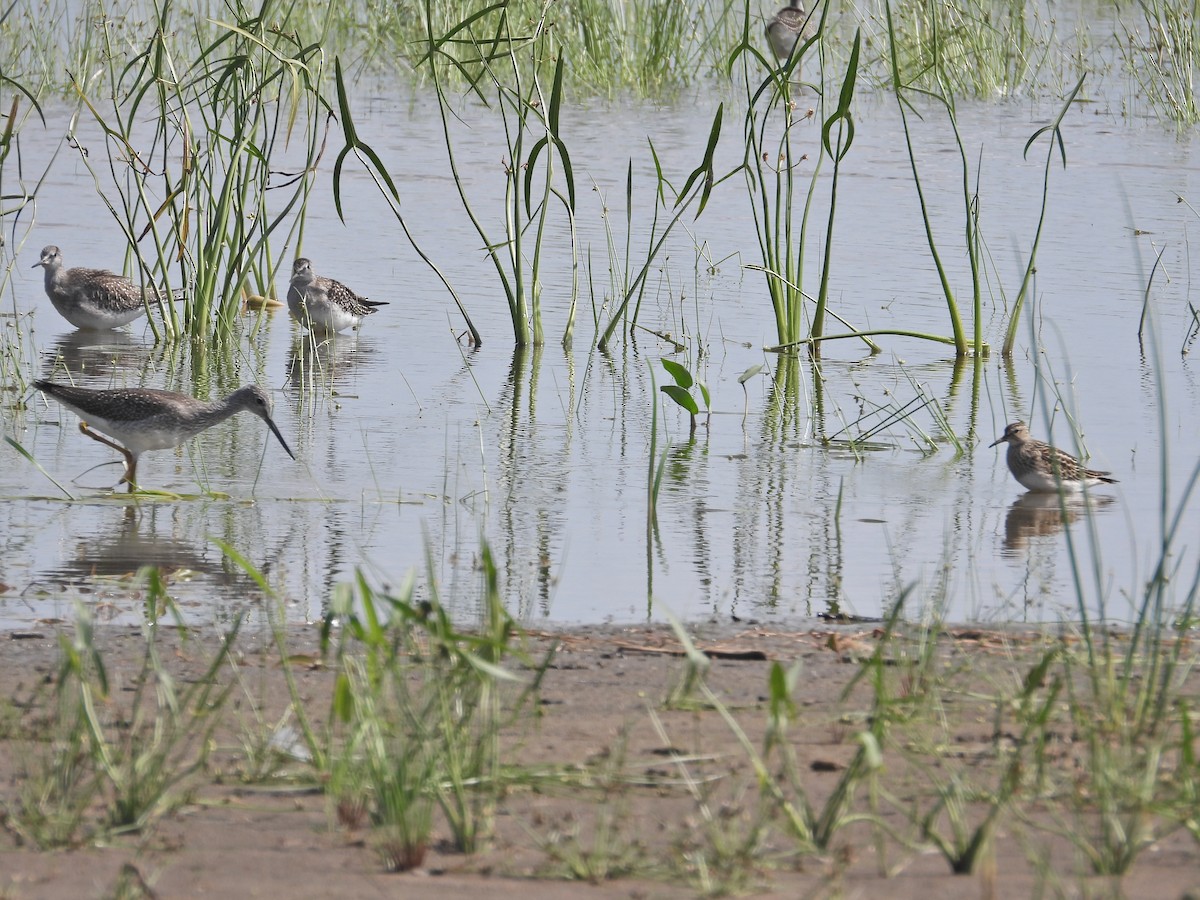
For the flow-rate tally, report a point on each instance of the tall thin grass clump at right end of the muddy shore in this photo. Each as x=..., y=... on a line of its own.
x=1125, y=687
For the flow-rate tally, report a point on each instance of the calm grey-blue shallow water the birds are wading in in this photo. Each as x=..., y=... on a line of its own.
x=409, y=442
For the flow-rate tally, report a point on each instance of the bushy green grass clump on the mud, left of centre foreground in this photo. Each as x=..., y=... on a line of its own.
x=417, y=715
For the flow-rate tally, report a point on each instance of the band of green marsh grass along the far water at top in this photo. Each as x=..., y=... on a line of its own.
x=644, y=49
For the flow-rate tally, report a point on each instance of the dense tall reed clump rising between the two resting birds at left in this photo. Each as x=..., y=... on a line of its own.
x=197, y=131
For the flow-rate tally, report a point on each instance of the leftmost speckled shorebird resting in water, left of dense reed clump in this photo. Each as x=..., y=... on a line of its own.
x=94, y=298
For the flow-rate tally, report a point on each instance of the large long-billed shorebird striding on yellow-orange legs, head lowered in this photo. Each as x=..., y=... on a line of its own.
x=146, y=419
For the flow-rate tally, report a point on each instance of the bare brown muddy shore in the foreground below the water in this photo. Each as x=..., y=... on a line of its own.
x=664, y=799
